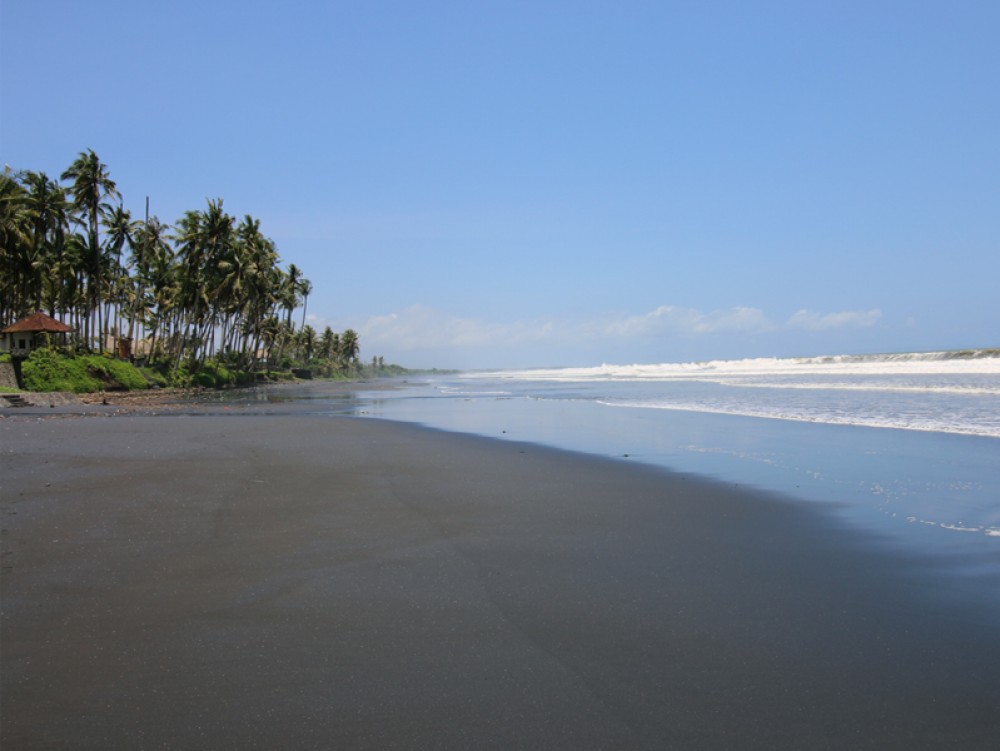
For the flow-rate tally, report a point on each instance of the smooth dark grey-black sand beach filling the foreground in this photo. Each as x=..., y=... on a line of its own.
x=291, y=581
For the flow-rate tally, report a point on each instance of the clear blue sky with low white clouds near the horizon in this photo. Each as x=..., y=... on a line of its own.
x=473, y=184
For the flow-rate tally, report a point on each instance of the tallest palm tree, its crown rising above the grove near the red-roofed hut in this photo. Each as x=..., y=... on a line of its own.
x=91, y=185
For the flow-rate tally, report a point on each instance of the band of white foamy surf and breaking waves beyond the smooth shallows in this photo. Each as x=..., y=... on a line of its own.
x=947, y=392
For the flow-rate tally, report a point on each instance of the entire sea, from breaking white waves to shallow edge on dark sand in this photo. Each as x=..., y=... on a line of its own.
x=905, y=447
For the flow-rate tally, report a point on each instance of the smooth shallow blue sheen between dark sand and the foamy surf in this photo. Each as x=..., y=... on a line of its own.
x=932, y=492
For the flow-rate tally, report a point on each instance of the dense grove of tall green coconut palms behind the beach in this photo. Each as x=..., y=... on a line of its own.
x=209, y=286
